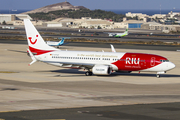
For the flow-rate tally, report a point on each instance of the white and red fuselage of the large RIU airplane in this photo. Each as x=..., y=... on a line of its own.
x=118, y=61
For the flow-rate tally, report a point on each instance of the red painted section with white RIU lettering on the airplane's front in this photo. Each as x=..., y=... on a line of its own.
x=138, y=61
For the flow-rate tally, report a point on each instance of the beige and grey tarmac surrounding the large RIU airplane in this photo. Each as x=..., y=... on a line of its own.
x=44, y=87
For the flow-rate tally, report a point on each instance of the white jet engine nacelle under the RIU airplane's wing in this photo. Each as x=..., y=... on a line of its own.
x=101, y=70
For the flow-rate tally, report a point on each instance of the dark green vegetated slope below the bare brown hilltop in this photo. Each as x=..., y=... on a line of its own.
x=77, y=14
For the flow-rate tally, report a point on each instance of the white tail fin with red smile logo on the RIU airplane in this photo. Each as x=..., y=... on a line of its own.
x=35, y=41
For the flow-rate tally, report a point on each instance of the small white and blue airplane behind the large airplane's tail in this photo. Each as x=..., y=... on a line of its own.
x=57, y=44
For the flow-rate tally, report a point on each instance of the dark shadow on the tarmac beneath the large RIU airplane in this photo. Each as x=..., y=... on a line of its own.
x=80, y=73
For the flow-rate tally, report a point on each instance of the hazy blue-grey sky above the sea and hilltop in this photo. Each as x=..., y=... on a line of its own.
x=93, y=4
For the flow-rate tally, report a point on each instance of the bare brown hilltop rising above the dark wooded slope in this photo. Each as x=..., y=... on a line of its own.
x=55, y=7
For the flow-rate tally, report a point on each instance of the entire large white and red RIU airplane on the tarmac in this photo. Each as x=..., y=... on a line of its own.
x=98, y=63
